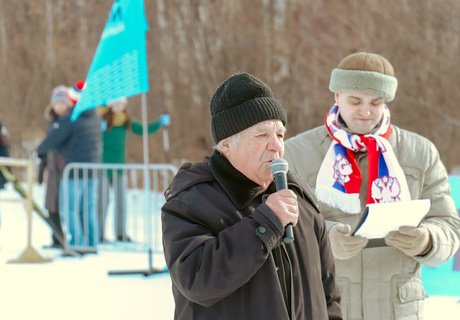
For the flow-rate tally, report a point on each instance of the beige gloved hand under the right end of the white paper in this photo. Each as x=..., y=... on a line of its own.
x=413, y=241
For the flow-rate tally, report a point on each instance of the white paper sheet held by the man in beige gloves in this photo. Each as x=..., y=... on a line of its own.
x=381, y=218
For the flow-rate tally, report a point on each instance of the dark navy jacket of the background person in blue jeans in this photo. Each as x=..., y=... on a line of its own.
x=78, y=141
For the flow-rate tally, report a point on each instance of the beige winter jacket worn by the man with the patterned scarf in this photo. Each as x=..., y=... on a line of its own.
x=382, y=282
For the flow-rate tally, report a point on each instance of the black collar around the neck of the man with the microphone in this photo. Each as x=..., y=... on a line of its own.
x=237, y=186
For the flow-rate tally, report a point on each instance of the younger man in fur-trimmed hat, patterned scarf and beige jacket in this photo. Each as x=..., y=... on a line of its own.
x=359, y=157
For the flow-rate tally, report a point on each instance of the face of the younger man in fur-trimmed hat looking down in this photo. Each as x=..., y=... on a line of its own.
x=361, y=112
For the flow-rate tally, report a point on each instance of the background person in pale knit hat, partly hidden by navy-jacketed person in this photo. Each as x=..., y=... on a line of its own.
x=54, y=162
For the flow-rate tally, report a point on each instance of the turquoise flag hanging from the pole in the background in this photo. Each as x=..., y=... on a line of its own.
x=119, y=67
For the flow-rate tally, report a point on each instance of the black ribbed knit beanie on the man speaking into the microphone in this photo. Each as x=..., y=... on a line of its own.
x=240, y=102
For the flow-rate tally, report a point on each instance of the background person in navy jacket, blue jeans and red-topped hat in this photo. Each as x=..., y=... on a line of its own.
x=78, y=141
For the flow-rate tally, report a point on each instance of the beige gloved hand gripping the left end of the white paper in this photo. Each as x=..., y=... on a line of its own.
x=344, y=246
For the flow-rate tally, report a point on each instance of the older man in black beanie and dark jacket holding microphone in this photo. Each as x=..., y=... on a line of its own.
x=223, y=222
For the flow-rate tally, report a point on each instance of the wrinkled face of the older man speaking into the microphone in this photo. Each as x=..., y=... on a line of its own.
x=252, y=150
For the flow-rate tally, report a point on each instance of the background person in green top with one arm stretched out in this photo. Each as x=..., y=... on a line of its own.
x=116, y=122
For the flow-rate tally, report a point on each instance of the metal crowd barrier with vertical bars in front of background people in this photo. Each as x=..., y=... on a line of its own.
x=117, y=205
